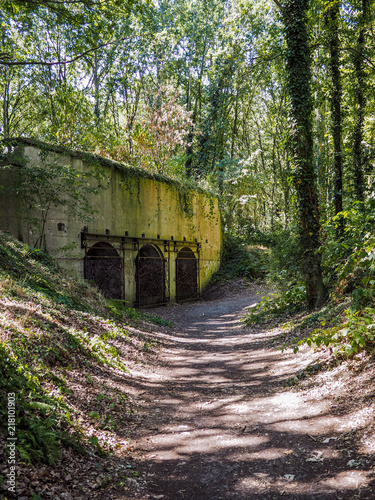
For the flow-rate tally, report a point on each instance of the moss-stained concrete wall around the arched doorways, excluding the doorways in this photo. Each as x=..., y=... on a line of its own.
x=131, y=209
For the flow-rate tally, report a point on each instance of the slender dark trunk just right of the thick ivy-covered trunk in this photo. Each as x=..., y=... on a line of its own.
x=332, y=20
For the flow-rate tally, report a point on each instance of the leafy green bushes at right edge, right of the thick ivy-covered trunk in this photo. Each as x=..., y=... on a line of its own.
x=350, y=267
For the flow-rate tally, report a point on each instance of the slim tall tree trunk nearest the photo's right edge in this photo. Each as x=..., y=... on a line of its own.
x=358, y=61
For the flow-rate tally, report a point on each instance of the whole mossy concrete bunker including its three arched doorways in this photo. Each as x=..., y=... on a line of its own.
x=152, y=240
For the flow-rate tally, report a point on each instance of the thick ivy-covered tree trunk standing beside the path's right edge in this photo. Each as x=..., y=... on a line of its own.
x=299, y=79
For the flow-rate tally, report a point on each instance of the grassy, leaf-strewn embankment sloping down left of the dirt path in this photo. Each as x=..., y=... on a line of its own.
x=58, y=337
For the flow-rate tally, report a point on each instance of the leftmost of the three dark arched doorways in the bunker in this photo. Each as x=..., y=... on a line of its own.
x=103, y=266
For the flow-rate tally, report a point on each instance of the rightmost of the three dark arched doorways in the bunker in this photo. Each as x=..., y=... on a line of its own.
x=186, y=275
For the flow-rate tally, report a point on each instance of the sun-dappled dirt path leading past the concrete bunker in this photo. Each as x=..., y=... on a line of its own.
x=220, y=422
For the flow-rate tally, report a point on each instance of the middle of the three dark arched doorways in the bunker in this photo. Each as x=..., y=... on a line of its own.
x=150, y=276
